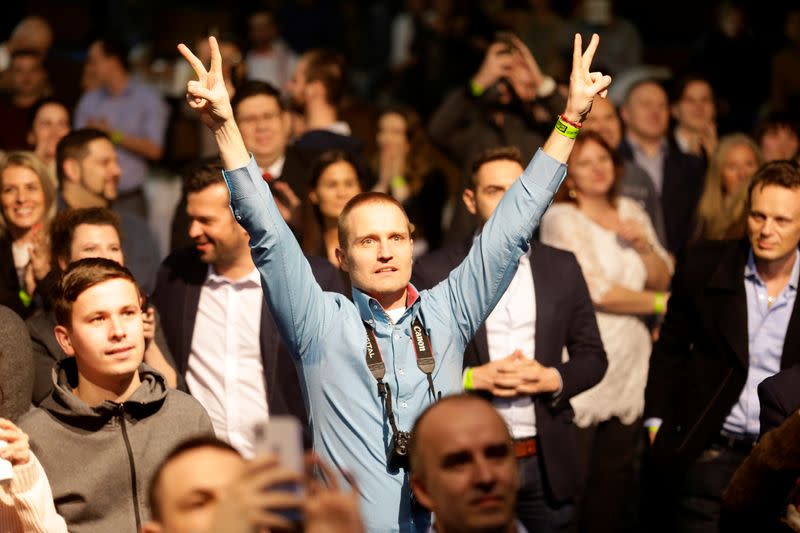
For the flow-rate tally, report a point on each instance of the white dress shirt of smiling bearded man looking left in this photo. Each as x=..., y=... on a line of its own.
x=225, y=371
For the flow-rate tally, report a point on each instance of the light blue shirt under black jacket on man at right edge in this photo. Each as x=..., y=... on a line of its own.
x=766, y=328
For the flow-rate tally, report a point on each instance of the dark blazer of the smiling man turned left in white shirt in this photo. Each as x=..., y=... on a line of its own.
x=177, y=296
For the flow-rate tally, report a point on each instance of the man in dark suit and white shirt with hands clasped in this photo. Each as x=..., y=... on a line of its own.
x=516, y=356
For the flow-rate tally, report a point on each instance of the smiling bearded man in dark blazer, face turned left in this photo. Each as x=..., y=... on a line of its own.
x=216, y=322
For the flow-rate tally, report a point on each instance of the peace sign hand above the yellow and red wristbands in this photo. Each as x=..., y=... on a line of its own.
x=584, y=85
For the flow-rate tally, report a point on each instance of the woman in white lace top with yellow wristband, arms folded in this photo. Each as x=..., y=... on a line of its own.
x=627, y=272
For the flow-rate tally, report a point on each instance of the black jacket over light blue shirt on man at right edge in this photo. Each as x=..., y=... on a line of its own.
x=699, y=364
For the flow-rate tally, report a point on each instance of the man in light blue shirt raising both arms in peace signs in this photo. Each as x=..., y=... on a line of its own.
x=328, y=334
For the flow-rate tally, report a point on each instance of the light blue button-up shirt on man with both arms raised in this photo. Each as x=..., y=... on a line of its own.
x=325, y=332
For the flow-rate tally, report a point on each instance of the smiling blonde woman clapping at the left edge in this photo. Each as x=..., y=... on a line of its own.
x=27, y=204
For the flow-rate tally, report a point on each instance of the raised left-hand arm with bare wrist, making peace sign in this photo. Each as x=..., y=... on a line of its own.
x=298, y=305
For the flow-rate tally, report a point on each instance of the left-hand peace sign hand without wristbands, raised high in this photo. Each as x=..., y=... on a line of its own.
x=208, y=94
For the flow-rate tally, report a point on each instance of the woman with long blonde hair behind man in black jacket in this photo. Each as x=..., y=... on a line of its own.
x=721, y=211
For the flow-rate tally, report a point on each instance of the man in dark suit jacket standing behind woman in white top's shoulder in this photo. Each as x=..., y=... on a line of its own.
x=678, y=177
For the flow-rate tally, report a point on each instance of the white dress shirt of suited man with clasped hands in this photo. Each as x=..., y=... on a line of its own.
x=511, y=326
